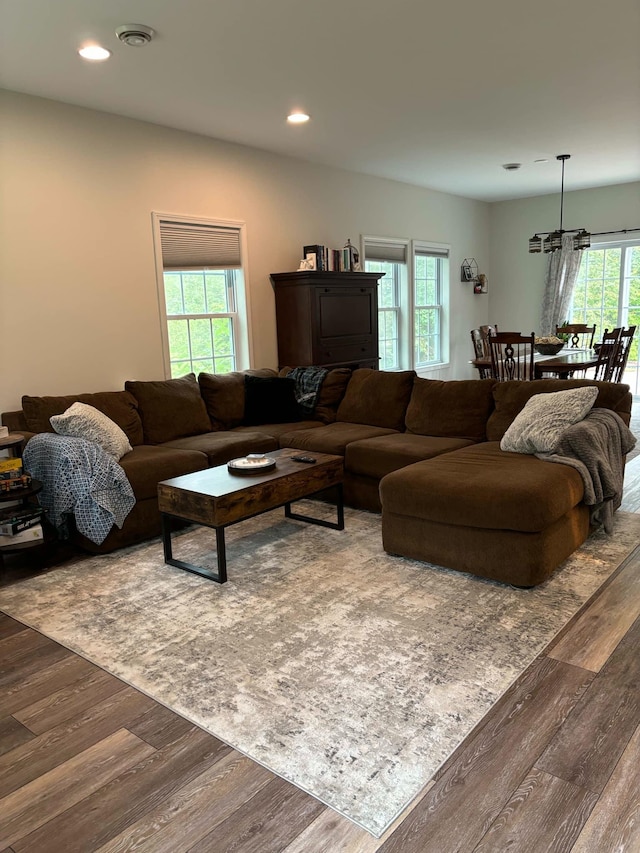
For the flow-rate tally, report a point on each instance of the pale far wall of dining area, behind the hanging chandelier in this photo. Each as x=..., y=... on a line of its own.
x=517, y=278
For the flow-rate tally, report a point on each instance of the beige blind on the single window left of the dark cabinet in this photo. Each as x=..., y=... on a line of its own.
x=187, y=246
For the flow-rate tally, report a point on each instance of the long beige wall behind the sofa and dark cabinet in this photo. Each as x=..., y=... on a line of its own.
x=78, y=300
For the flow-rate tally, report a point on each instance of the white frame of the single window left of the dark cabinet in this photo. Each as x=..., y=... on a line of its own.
x=243, y=350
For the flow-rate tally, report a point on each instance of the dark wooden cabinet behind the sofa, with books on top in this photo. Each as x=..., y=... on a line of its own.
x=329, y=319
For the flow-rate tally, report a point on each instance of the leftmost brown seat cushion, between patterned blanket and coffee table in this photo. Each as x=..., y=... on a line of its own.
x=147, y=465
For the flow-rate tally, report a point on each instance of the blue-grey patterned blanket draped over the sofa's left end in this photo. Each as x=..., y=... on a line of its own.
x=79, y=477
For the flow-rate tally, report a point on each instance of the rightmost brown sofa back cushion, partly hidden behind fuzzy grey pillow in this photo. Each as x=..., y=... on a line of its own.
x=511, y=397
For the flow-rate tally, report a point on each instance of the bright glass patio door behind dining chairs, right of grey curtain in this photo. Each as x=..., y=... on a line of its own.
x=607, y=293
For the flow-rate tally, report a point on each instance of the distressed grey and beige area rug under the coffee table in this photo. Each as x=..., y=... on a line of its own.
x=349, y=672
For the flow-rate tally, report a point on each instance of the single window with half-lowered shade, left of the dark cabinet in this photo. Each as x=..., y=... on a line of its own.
x=201, y=294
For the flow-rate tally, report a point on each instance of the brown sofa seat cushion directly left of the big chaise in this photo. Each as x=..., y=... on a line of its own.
x=375, y=457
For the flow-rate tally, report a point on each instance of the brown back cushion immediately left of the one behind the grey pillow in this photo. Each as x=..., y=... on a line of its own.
x=456, y=408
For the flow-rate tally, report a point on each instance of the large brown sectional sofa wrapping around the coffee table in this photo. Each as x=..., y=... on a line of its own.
x=426, y=453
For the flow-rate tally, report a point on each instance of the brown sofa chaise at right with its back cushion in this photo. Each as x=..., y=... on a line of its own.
x=506, y=516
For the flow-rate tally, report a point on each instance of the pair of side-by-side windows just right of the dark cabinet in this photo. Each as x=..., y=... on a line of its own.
x=410, y=301
